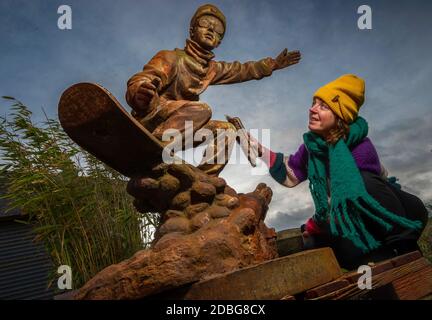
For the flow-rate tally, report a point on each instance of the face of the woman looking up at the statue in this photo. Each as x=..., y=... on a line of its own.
x=321, y=118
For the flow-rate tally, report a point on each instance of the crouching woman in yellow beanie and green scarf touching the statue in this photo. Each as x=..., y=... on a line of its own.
x=358, y=212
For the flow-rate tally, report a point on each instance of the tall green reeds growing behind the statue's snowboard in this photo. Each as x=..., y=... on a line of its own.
x=79, y=207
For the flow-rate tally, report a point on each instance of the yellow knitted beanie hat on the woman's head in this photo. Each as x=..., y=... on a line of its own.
x=344, y=96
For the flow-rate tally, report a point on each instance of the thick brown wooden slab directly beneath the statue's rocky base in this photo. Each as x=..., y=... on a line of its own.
x=272, y=279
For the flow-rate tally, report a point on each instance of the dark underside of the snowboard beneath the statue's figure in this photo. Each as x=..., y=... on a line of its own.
x=94, y=119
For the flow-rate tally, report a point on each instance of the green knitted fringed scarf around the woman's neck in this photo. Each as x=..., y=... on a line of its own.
x=349, y=198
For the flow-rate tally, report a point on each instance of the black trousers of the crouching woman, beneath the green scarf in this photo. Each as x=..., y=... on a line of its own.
x=398, y=241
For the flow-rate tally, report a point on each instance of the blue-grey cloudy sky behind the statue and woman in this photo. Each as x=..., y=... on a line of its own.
x=112, y=40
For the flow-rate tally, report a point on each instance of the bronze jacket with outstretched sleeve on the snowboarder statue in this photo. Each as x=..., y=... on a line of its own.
x=182, y=75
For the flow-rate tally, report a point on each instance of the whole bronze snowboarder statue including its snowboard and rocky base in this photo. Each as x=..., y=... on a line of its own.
x=205, y=227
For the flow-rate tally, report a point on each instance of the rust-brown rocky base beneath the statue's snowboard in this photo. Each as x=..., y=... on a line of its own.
x=205, y=229
